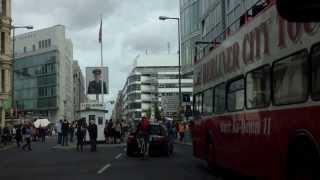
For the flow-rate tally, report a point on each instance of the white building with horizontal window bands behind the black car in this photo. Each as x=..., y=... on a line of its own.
x=153, y=78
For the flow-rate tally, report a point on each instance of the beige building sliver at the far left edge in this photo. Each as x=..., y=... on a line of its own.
x=5, y=59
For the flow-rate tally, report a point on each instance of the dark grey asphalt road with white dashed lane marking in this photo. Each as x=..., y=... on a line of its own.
x=110, y=162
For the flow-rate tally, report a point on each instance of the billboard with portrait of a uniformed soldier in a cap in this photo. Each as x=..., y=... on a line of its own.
x=94, y=78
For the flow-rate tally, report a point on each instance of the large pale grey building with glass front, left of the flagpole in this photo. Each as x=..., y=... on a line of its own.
x=43, y=78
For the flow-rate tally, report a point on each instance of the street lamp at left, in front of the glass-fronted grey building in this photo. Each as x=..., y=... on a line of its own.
x=13, y=27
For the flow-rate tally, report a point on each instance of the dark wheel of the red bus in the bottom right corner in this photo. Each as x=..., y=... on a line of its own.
x=303, y=161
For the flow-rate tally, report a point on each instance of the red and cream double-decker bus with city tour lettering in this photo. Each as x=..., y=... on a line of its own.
x=257, y=100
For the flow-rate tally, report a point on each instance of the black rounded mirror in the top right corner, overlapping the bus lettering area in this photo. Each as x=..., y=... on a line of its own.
x=299, y=11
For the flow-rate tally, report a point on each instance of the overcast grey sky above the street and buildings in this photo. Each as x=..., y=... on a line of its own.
x=129, y=28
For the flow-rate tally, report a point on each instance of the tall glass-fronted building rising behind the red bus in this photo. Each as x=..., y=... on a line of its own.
x=211, y=21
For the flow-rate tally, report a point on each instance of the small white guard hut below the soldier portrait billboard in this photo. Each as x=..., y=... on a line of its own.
x=97, y=112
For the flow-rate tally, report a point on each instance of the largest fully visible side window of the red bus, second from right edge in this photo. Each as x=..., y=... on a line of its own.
x=290, y=79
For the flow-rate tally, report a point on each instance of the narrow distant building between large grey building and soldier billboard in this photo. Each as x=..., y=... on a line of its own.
x=79, y=95
